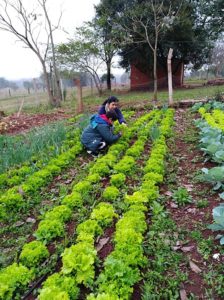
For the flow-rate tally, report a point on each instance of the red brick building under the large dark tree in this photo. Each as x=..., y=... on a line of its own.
x=140, y=80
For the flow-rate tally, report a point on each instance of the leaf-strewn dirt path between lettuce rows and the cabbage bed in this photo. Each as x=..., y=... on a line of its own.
x=191, y=218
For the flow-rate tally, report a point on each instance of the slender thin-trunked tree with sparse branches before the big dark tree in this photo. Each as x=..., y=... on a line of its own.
x=144, y=22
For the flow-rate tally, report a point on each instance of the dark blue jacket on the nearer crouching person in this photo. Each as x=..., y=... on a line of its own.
x=99, y=130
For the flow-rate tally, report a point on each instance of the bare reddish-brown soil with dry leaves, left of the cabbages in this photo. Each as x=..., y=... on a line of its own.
x=190, y=217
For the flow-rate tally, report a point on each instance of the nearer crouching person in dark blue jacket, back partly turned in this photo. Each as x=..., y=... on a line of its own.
x=99, y=133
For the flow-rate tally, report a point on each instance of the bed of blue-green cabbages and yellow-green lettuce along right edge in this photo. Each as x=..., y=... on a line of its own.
x=211, y=130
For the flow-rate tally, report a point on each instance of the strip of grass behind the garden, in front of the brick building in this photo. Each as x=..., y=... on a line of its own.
x=39, y=103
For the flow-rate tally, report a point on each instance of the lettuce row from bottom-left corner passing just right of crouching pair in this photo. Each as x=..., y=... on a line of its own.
x=52, y=226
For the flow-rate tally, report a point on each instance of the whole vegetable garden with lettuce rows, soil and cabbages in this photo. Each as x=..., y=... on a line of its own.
x=137, y=222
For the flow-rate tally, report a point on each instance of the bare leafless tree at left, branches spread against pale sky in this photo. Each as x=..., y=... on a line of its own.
x=29, y=25
